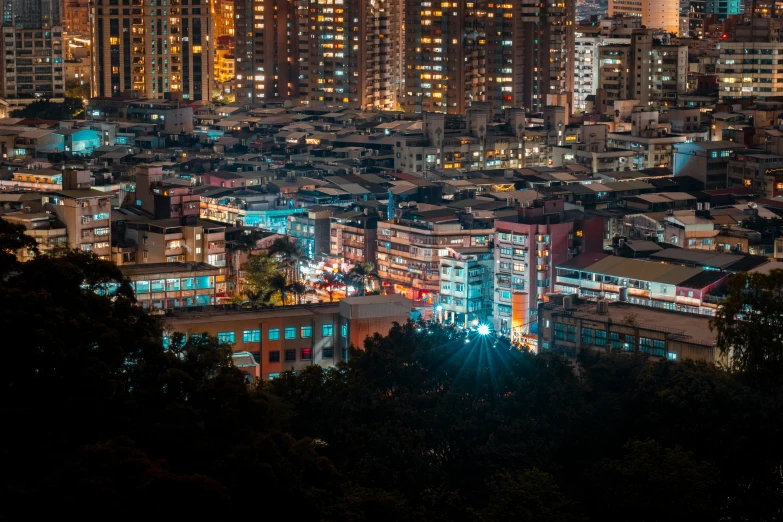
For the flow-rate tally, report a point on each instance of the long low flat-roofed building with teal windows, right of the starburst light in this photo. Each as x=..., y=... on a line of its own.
x=661, y=334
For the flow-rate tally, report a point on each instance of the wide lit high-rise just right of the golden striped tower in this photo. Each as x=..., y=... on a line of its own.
x=322, y=53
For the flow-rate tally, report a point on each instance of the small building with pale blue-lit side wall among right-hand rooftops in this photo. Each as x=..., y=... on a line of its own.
x=707, y=161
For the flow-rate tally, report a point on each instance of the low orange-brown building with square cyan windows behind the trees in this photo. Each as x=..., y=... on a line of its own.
x=294, y=337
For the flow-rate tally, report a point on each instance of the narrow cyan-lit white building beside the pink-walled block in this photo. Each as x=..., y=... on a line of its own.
x=466, y=285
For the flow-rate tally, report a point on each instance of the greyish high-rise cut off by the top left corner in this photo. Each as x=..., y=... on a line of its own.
x=31, y=51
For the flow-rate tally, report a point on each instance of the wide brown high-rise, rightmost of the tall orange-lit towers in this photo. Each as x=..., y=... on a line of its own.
x=509, y=55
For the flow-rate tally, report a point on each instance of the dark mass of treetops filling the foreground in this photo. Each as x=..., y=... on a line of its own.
x=100, y=421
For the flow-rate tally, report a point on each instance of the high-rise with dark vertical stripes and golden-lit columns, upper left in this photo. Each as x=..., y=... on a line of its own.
x=152, y=46
